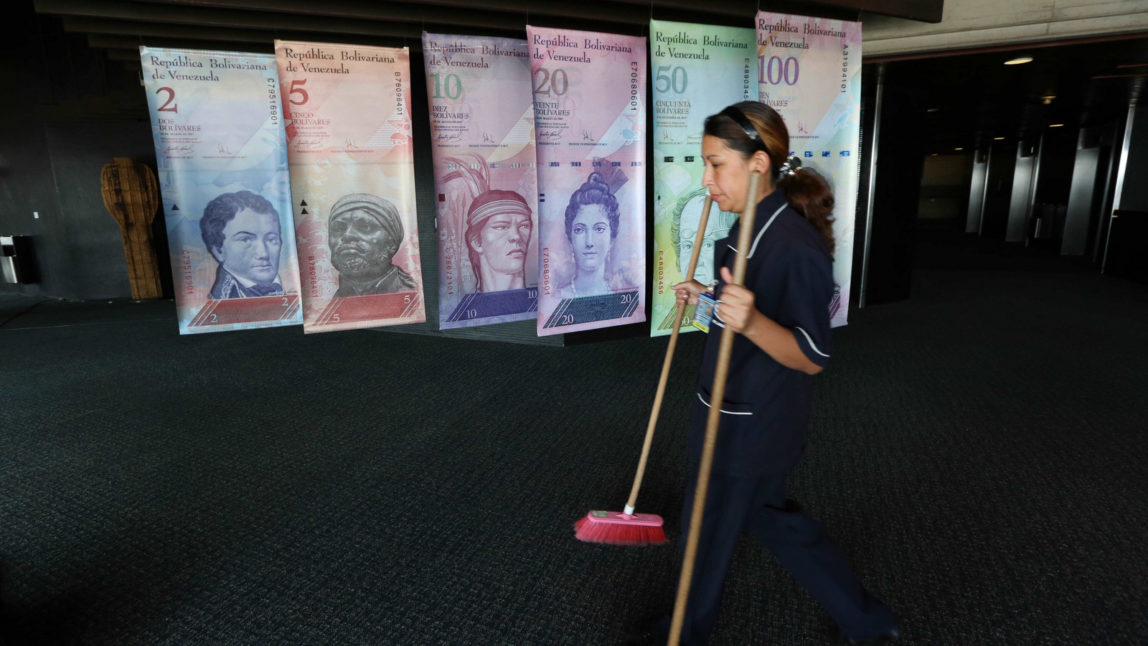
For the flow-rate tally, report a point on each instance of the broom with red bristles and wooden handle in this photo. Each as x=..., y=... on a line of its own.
x=627, y=528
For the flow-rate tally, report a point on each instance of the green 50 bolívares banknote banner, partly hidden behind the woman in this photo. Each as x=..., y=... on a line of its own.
x=697, y=72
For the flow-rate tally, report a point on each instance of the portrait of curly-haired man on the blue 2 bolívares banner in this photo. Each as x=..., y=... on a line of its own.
x=243, y=234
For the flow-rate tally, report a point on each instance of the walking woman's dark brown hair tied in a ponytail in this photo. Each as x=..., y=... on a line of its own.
x=808, y=192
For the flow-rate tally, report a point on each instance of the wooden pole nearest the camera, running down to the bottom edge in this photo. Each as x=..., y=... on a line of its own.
x=712, y=422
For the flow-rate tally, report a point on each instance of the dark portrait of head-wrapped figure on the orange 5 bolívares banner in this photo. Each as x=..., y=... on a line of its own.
x=364, y=234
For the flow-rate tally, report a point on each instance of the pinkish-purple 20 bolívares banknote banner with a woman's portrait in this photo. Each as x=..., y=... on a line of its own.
x=589, y=115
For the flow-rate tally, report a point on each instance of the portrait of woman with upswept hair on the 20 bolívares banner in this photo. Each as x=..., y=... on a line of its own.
x=592, y=229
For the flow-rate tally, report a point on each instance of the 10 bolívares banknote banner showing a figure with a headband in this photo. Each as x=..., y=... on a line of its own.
x=486, y=178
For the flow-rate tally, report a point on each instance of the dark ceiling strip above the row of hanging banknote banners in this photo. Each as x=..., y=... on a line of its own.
x=120, y=27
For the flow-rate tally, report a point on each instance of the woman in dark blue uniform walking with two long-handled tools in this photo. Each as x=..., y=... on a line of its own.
x=782, y=323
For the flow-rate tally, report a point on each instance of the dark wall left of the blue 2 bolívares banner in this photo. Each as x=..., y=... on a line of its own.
x=73, y=113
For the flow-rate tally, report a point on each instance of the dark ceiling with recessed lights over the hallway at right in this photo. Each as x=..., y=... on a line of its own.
x=975, y=98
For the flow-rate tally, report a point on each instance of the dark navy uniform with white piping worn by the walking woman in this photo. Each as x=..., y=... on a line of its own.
x=764, y=425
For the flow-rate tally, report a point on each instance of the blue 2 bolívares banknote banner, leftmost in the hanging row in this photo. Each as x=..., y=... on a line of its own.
x=222, y=159
